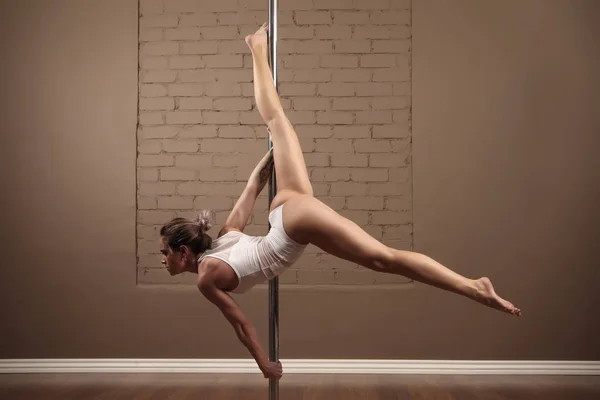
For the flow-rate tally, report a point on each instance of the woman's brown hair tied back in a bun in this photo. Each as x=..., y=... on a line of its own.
x=184, y=232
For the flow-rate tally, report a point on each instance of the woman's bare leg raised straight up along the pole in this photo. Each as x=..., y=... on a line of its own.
x=292, y=176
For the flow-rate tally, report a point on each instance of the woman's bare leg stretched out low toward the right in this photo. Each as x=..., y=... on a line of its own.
x=314, y=222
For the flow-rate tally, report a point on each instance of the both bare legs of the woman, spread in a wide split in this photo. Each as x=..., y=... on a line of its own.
x=308, y=220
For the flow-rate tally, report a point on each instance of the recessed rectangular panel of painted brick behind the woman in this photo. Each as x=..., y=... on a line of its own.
x=344, y=81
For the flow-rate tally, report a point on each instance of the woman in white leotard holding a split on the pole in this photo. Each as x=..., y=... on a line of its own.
x=234, y=262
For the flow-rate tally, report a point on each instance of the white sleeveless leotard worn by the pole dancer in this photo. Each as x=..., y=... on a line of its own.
x=256, y=259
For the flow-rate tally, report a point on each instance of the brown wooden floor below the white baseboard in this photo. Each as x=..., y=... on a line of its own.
x=295, y=387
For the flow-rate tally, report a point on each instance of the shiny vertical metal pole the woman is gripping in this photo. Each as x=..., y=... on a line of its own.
x=274, y=283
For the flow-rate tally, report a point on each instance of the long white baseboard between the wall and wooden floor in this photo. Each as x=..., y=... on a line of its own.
x=301, y=366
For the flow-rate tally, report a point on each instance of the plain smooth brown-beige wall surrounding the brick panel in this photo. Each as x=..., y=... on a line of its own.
x=69, y=289
